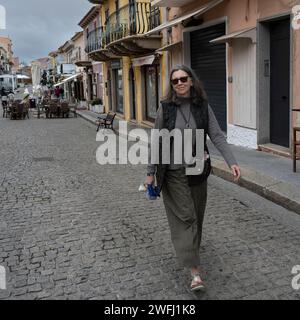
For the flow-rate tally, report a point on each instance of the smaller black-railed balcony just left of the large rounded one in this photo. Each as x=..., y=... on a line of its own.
x=95, y=48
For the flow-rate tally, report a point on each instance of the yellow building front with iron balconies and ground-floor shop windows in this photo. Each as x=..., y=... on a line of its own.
x=133, y=70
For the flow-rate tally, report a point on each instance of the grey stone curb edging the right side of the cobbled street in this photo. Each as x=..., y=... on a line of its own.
x=277, y=191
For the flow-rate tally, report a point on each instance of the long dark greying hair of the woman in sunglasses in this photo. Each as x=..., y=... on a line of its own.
x=198, y=94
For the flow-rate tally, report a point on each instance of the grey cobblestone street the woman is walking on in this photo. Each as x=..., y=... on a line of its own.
x=72, y=229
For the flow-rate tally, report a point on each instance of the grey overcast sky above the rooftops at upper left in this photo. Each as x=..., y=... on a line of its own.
x=38, y=27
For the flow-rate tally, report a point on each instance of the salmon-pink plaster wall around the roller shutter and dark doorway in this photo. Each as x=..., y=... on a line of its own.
x=244, y=14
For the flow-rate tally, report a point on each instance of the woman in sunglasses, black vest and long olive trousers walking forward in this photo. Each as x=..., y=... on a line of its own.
x=186, y=107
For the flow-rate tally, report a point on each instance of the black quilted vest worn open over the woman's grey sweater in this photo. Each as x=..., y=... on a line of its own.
x=200, y=114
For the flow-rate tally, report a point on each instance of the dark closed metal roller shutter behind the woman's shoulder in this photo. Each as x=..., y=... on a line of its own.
x=209, y=62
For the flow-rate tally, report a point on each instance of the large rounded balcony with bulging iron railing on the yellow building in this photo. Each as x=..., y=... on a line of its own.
x=125, y=29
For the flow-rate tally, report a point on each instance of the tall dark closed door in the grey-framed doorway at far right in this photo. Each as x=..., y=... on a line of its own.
x=280, y=83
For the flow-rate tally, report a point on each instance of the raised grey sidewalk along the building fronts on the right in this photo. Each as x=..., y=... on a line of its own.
x=268, y=175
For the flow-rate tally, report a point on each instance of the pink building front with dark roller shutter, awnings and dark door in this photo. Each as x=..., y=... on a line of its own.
x=246, y=53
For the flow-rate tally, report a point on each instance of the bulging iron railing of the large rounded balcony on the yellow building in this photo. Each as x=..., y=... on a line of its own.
x=136, y=18
